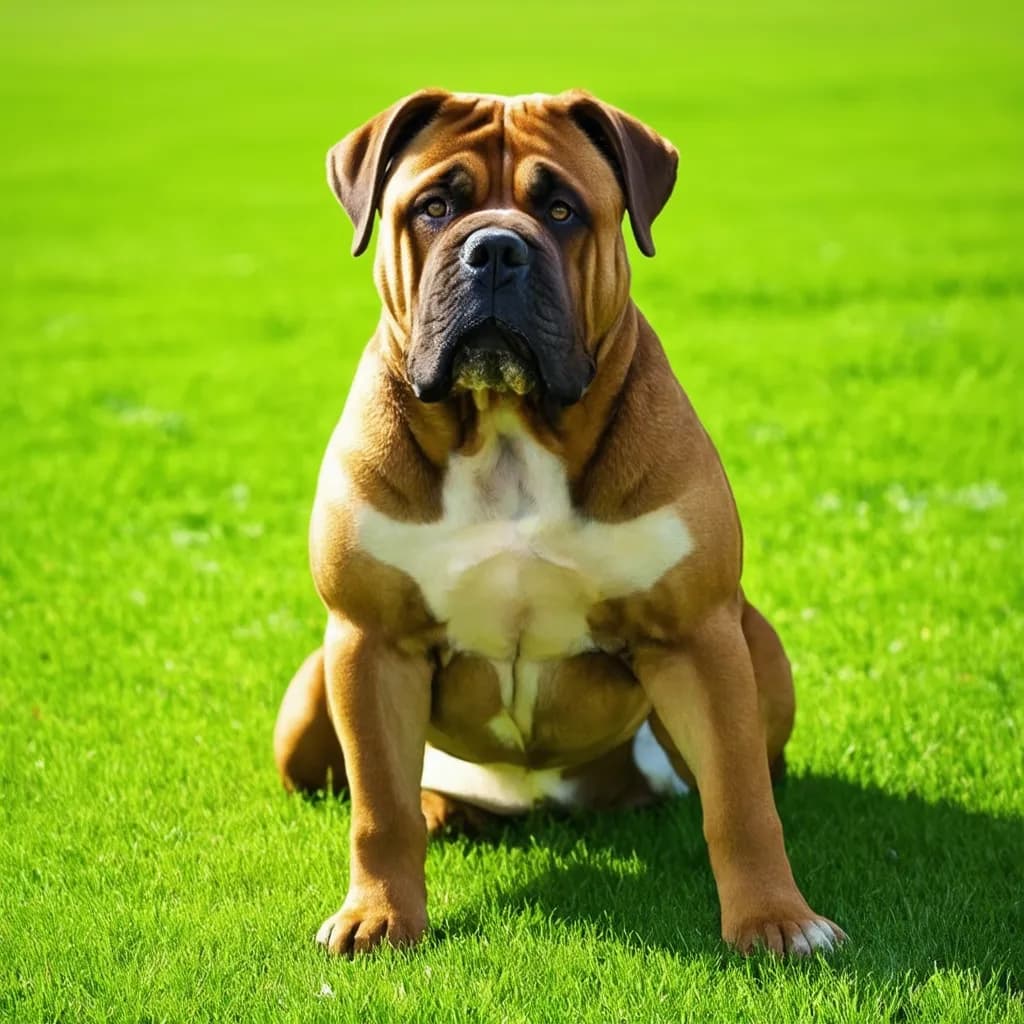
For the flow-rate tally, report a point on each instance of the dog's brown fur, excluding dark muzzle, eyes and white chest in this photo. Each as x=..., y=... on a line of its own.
x=691, y=652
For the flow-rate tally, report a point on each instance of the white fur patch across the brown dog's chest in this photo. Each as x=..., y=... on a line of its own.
x=511, y=568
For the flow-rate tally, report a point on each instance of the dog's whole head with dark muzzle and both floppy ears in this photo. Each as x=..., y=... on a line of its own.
x=501, y=263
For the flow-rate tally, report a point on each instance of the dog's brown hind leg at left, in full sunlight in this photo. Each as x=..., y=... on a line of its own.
x=306, y=745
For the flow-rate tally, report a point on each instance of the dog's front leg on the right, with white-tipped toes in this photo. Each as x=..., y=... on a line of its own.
x=706, y=696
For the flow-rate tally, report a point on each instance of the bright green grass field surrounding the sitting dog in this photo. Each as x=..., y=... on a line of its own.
x=840, y=285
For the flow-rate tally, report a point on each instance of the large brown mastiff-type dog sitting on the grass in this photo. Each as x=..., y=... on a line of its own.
x=526, y=542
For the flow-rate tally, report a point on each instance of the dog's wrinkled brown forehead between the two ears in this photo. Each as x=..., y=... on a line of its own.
x=506, y=150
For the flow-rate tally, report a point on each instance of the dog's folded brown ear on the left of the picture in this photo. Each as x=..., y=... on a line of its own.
x=358, y=165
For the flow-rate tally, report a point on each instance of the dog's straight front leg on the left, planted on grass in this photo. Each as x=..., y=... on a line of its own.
x=380, y=704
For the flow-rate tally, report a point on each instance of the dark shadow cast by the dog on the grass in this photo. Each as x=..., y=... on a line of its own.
x=919, y=886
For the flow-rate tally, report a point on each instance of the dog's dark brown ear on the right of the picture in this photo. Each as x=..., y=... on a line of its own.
x=645, y=162
